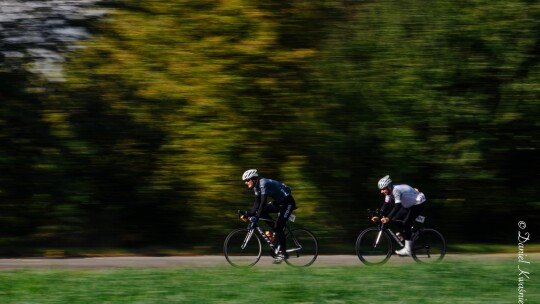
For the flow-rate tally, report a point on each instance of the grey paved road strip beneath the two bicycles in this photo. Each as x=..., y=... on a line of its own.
x=206, y=261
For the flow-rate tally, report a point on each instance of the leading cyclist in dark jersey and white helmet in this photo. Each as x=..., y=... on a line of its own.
x=283, y=204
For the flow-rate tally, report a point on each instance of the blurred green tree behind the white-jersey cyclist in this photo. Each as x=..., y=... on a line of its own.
x=420, y=93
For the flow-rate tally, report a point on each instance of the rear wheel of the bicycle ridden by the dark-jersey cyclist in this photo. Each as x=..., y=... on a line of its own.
x=302, y=247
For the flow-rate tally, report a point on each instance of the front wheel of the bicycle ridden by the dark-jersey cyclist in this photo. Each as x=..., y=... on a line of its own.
x=242, y=248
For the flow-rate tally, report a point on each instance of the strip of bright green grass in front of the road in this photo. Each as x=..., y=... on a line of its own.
x=448, y=282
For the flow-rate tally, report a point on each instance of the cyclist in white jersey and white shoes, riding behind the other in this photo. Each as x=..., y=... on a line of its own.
x=408, y=205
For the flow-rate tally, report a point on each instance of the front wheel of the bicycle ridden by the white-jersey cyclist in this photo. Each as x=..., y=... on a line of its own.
x=373, y=246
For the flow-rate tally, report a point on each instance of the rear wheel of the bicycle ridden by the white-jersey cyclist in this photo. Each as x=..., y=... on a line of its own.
x=428, y=246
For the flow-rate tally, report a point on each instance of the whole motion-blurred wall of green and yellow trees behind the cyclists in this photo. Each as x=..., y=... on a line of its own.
x=143, y=139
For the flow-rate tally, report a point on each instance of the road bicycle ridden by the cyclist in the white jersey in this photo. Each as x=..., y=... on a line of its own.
x=374, y=245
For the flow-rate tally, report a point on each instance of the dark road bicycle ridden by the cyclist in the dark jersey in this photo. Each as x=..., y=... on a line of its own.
x=243, y=247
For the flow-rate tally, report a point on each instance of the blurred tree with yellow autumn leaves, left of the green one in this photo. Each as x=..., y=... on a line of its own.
x=182, y=103
